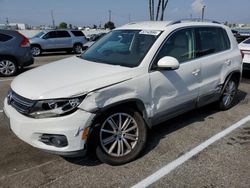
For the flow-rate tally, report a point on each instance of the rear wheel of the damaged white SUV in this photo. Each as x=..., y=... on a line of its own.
x=228, y=95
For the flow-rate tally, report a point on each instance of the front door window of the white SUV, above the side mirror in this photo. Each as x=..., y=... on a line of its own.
x=180, y=45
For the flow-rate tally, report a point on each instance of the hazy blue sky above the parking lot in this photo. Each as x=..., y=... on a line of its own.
x=89, y=12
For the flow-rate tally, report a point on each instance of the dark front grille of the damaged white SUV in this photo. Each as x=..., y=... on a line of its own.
x=20, y=103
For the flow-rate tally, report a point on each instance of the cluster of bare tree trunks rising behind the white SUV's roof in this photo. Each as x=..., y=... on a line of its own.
x=161, y=7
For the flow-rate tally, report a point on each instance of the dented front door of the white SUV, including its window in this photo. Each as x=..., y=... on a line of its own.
x=175, y=91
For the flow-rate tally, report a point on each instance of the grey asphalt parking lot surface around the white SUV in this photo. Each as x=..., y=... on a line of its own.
x=224, y=163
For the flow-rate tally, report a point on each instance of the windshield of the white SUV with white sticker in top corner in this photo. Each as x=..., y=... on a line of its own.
x=122, y=47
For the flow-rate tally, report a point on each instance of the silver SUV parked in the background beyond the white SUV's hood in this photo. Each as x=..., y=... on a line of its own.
x=57, y=40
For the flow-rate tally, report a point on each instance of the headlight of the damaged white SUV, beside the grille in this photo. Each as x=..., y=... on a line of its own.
x=55, y=107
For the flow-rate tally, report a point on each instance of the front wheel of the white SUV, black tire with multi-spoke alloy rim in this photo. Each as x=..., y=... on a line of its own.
x=137, y=135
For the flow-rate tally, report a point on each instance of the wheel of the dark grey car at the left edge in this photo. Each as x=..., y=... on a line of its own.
x=8, y=66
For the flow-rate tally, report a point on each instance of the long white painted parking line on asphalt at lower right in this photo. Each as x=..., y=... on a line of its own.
x=179, y=161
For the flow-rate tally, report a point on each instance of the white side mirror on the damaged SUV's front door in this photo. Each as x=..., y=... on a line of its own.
x=168, y=63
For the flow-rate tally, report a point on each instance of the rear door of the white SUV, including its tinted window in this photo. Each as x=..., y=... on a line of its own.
x=214, y=57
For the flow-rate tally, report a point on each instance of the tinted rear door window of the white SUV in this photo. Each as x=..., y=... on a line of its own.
x=212, y=40
